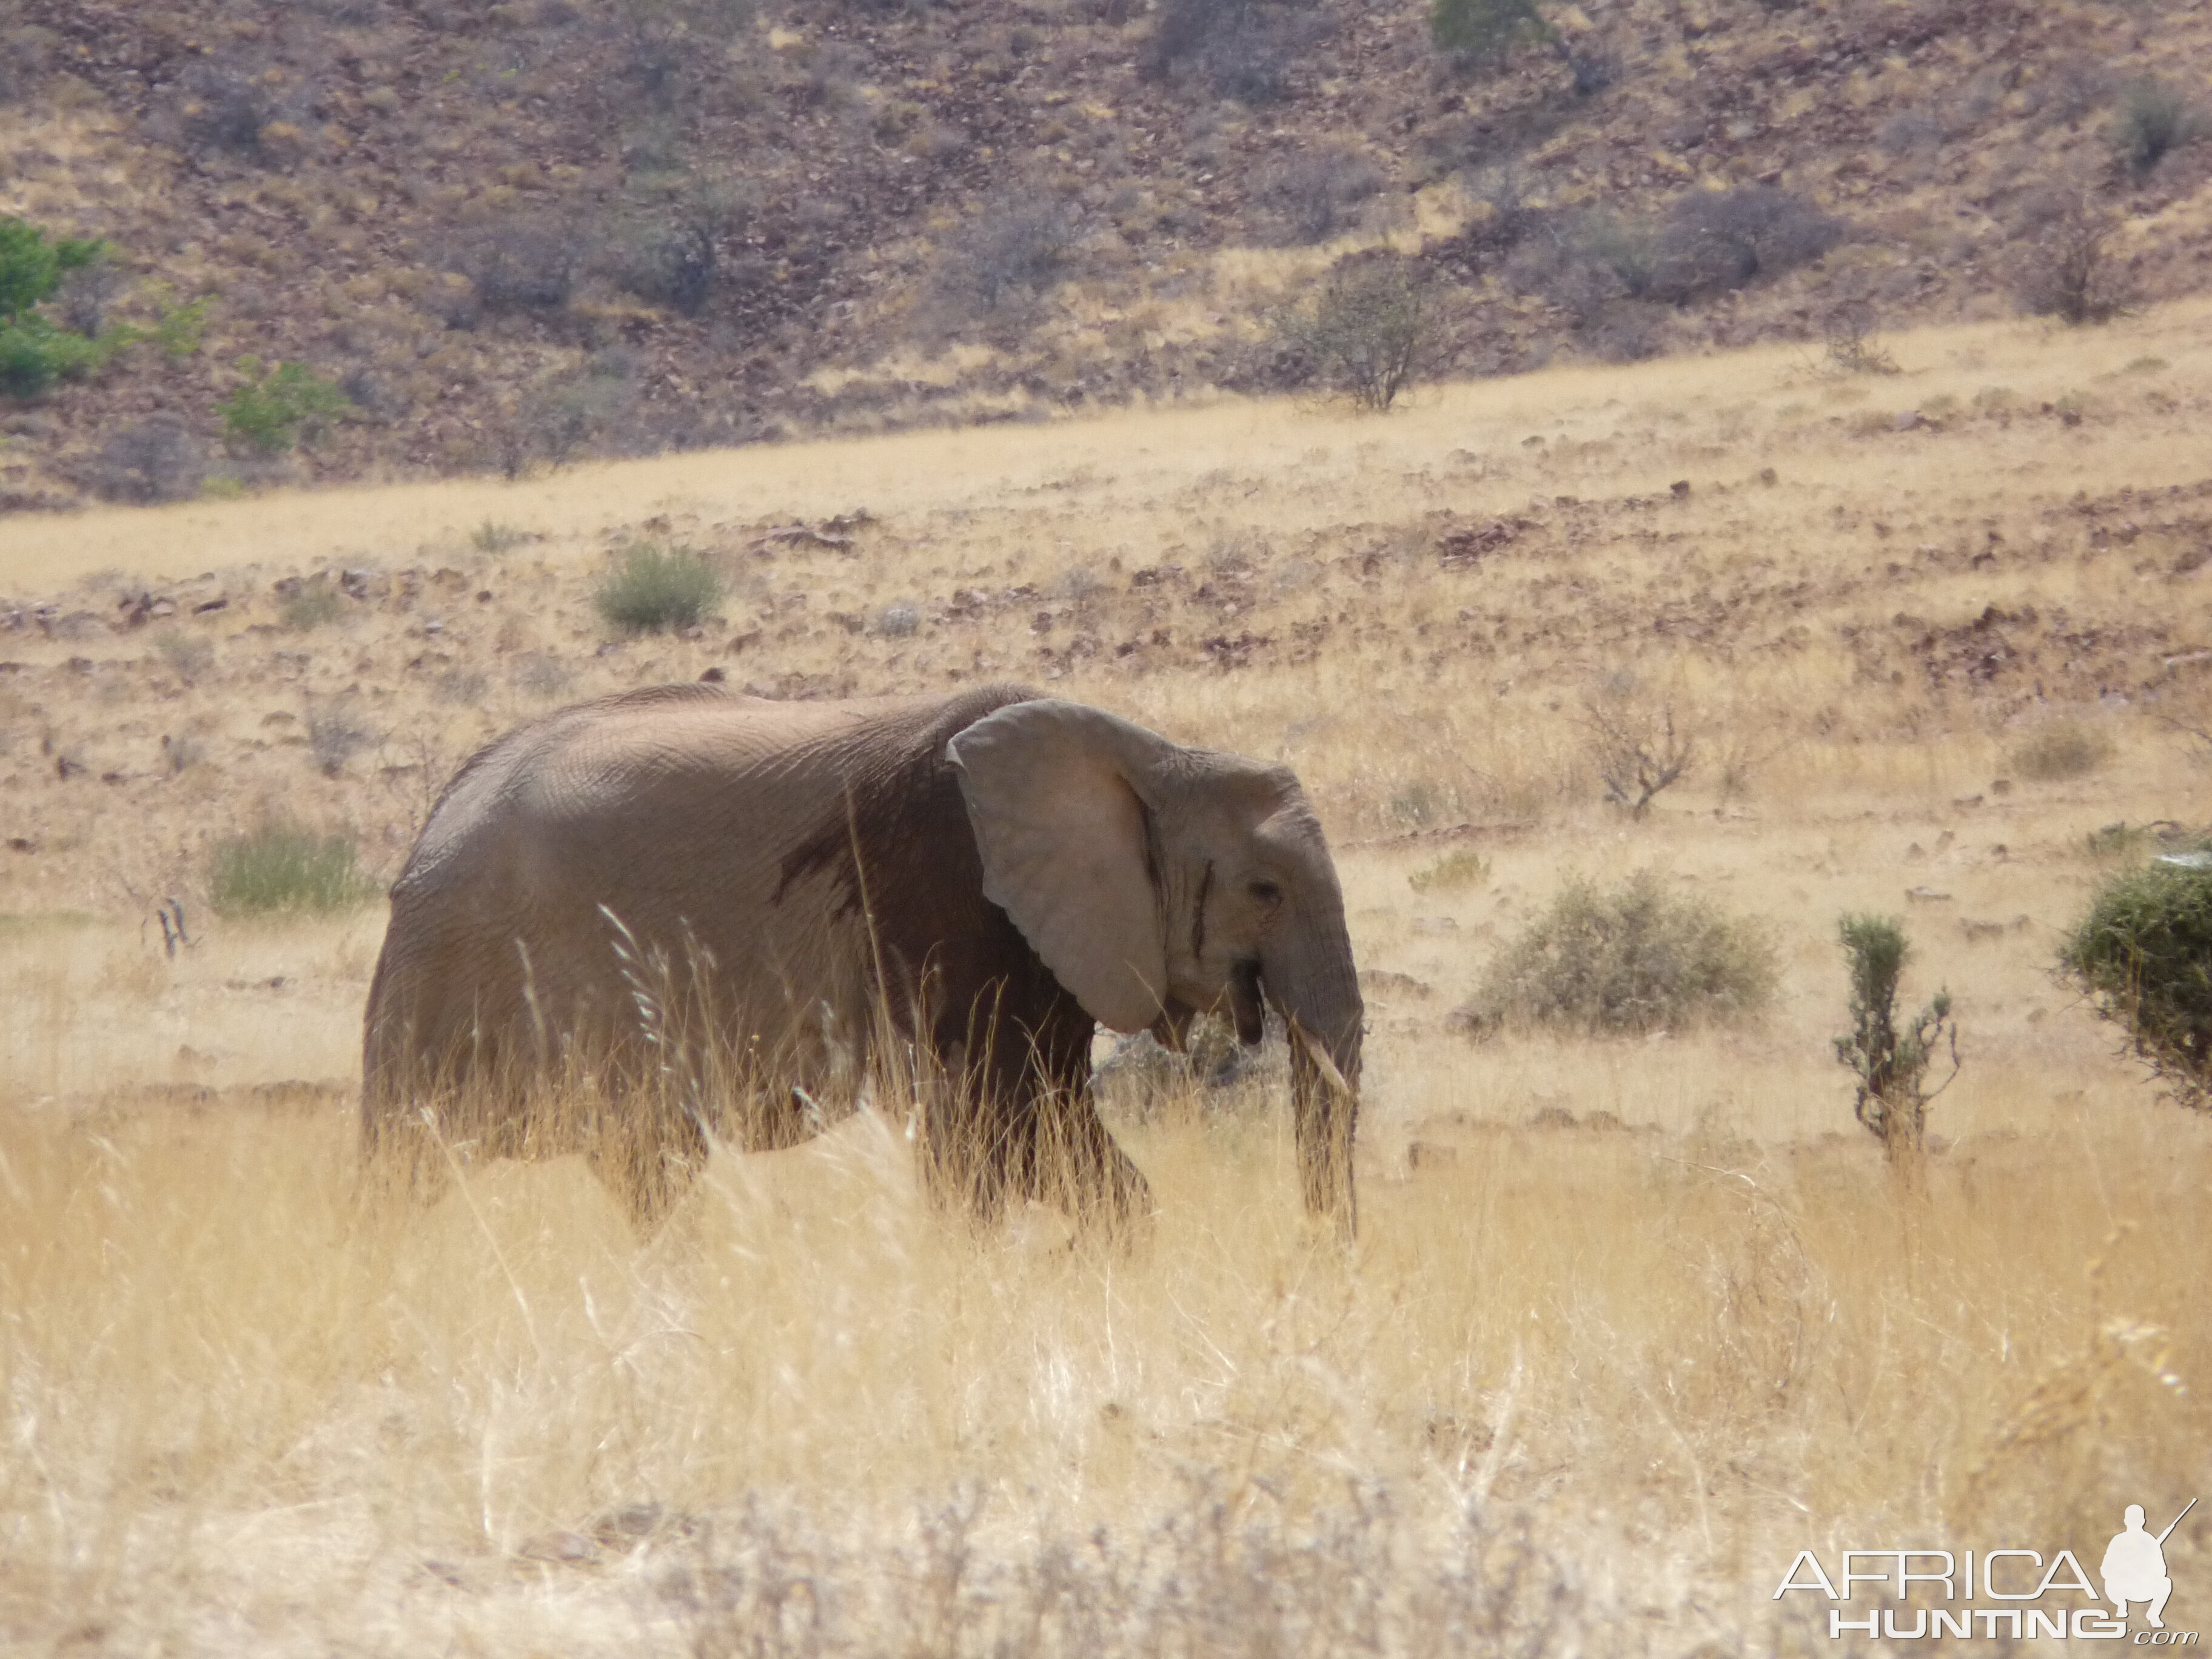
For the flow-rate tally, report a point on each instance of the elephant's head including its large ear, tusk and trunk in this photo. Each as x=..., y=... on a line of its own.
x=1160, y=881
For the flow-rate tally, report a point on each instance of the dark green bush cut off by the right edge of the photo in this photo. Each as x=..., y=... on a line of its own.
x=2145, y=959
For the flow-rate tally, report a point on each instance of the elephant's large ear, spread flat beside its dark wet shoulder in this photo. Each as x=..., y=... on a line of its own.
x=1052, y=791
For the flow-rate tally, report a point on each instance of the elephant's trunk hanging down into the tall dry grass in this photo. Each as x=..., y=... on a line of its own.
x=1319, y=1001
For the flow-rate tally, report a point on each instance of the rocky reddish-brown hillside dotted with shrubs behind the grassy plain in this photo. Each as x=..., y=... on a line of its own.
x=534, y=231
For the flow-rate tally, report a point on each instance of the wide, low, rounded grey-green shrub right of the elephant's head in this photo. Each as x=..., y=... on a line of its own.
x=1625, y=961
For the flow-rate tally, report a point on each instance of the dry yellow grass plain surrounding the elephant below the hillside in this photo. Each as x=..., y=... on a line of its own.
x=1629, y=1322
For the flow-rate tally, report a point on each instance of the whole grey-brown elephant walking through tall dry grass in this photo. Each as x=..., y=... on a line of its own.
x=724, y=919
